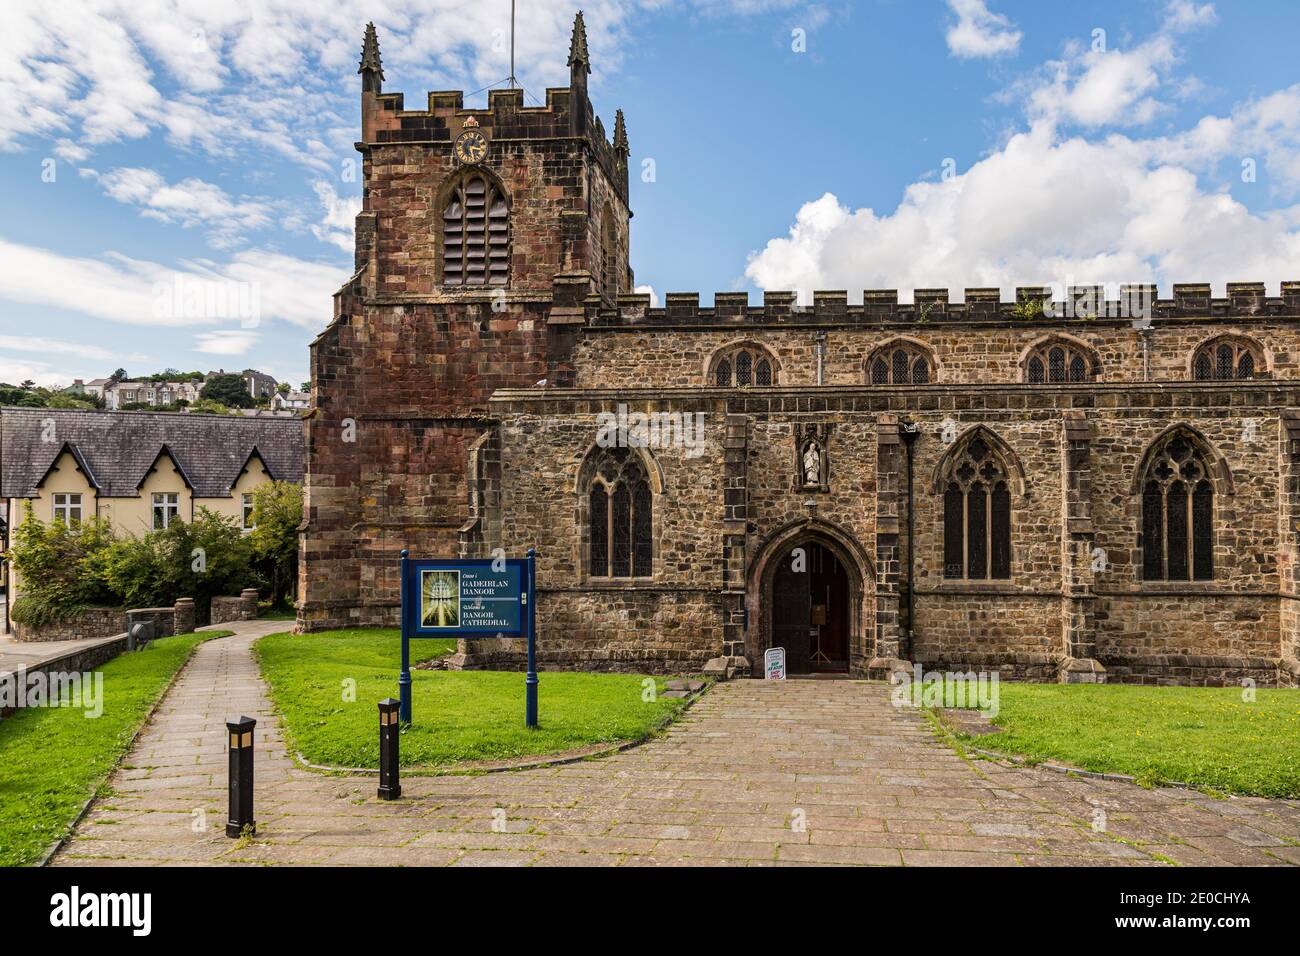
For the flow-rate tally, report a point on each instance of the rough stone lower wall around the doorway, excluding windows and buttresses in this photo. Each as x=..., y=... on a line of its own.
x=1203, y=633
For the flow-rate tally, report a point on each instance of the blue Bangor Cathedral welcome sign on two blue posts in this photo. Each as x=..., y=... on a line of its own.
x=469, y=599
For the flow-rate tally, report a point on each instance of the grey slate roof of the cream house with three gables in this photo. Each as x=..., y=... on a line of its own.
x=120, y=448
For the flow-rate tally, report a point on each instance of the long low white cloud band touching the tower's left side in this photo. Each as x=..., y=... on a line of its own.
x=136, y=292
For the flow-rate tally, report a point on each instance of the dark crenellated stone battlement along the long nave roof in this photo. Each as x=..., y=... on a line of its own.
x=1137, y=304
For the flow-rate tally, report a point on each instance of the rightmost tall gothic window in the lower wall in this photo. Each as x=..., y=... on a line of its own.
x=1178, y=512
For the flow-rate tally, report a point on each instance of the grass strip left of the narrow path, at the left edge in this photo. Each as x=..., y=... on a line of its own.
x=54, y=759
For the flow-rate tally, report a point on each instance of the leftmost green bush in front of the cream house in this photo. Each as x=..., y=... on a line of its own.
x=62, y=569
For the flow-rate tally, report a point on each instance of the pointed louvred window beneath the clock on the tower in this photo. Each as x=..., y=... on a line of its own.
x=476, y=235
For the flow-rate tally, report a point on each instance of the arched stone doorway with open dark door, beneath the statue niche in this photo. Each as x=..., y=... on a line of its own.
x=811, y=592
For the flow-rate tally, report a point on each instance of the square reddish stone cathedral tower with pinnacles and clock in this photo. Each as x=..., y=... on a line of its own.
x=484, y=239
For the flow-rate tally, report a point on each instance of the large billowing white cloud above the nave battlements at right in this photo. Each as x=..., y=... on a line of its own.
x=1039, y=211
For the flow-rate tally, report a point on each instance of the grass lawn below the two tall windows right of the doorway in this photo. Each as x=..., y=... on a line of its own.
x=1206, y=737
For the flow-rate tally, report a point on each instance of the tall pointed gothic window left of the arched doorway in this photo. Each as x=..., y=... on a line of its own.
x=621, y=514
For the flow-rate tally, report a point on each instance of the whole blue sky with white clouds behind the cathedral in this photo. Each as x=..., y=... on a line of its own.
x=161, y=145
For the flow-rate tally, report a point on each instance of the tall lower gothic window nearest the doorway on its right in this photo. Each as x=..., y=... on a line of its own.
x=977, y=513
